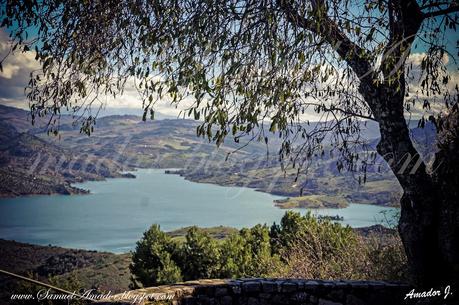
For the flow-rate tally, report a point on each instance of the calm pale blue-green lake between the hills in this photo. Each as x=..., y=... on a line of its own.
x=117, y=212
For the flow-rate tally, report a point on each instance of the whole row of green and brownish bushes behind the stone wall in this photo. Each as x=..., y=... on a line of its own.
x=300, y=246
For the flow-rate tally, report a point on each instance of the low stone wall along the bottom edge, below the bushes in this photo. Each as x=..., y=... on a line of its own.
x=267, y=291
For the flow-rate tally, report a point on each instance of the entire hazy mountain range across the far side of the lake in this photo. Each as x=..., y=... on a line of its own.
x=124, y=141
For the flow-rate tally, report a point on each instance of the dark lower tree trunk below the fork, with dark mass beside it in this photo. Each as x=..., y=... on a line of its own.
x=429, y=221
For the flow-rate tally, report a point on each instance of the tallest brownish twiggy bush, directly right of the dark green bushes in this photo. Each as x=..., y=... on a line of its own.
x=314, y=248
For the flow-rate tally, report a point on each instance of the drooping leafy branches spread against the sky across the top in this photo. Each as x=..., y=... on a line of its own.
x=242, y=67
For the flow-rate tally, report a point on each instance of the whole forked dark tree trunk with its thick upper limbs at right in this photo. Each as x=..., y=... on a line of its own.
x=429, y=220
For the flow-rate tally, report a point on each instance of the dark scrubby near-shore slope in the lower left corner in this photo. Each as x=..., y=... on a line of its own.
x=101, y=270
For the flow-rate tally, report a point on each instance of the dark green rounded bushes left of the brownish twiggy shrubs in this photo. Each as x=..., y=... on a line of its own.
x=244, y=253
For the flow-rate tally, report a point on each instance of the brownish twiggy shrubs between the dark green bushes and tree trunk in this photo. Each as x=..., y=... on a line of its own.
x=322, y=249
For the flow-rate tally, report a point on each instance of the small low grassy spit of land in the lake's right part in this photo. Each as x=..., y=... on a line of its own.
x=312, y=202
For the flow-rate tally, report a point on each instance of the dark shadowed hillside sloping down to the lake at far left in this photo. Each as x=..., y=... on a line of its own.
x=30, y=165
